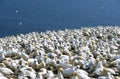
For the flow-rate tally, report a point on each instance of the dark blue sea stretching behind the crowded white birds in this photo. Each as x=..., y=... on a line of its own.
x=24, y=16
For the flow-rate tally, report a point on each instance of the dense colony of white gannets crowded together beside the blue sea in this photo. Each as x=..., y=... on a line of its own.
x=85, y=53
